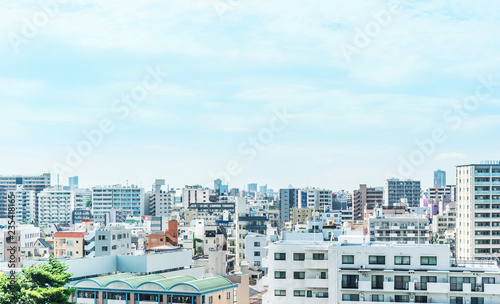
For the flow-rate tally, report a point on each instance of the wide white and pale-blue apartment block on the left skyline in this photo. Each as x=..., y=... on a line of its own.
x=129, y=199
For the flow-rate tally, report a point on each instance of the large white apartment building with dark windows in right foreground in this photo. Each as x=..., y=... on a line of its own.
x=344, y=273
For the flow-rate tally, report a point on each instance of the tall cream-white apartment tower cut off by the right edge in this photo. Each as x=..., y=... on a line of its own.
x=478, y=210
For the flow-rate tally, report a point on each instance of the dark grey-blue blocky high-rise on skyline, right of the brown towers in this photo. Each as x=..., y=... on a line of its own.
x=397, y=191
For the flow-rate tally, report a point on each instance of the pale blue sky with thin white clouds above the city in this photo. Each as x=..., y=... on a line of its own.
x=321, y=93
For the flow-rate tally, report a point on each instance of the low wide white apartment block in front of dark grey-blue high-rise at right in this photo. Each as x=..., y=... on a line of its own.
x=400, y=228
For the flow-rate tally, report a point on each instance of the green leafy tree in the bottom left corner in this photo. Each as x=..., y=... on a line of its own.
x=42, y=284
